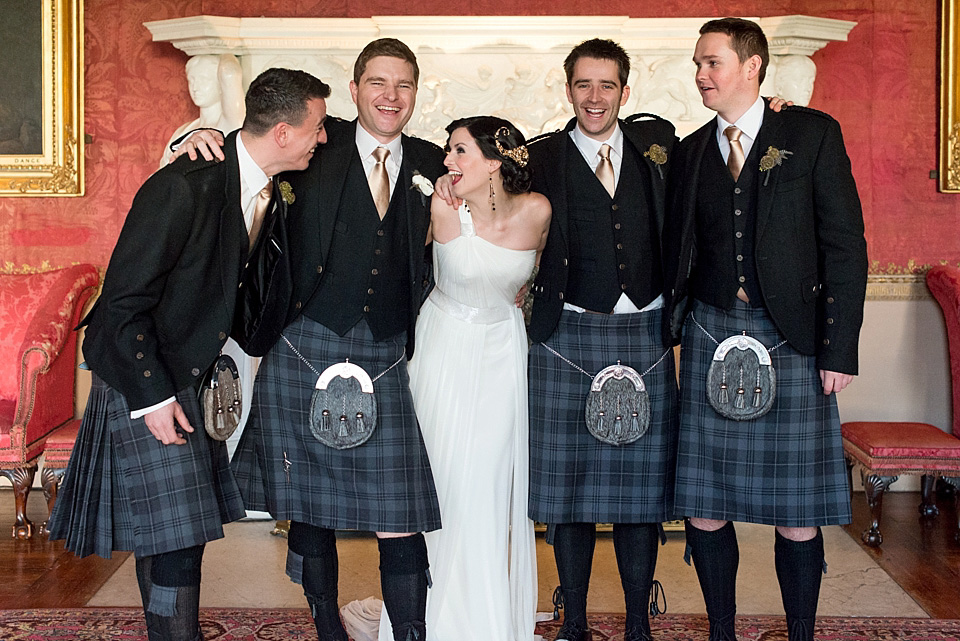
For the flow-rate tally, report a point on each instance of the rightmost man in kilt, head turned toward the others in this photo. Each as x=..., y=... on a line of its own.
x=765, y=238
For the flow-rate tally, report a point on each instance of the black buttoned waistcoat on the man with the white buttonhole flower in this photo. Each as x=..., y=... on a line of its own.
x=367, y=273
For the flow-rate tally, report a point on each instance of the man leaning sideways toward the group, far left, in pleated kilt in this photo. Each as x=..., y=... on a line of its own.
x=144, y=474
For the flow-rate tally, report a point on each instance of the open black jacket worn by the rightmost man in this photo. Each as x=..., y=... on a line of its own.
x=811, y=256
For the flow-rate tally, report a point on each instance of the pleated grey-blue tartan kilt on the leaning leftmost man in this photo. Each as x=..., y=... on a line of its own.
x=125, y=490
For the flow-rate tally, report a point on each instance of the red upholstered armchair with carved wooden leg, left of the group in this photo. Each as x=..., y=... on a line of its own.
x=37, y=368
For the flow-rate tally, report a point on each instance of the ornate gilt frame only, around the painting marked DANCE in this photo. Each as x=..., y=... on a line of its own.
x=58, y=169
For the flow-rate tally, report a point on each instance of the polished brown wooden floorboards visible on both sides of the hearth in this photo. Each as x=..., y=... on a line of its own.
x=919, y=554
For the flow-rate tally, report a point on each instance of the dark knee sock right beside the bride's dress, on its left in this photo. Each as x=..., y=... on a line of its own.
x=403, y=580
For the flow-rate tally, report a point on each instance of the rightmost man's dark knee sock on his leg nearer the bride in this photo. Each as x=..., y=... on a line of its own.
x=716, y=556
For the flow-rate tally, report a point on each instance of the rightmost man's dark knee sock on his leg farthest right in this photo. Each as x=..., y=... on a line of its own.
x=799, y=570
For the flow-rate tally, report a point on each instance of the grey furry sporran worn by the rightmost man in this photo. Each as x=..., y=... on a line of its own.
x=741, y=382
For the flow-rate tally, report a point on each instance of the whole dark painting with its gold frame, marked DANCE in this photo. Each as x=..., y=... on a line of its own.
x=41, y=125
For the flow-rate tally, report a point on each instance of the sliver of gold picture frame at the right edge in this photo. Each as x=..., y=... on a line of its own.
x=949, y=103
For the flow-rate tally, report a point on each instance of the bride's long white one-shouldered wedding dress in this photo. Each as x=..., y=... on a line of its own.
x=469, y=383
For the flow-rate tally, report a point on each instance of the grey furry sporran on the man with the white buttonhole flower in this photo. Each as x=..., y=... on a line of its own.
x=343, y=410
